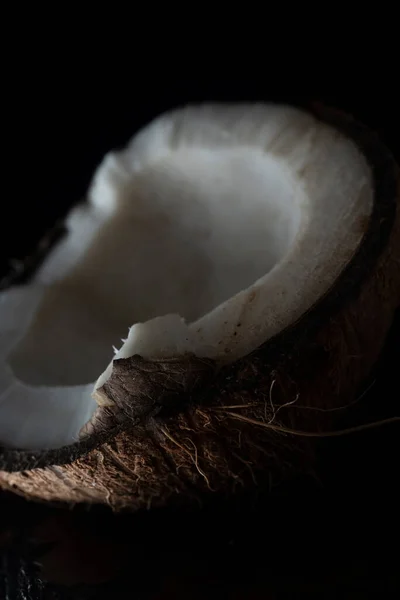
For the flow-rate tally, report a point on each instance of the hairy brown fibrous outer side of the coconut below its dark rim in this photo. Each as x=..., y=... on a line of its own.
x=206, y=449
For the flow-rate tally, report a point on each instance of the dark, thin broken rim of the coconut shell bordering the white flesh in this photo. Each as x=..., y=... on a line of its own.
x=346, y=287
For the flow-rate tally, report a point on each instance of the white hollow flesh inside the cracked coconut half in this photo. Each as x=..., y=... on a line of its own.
x=213, y=230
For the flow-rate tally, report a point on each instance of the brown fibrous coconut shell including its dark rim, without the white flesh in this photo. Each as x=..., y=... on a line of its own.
x=184, y=430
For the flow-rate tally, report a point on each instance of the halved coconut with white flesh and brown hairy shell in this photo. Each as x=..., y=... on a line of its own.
x=254, y=252
